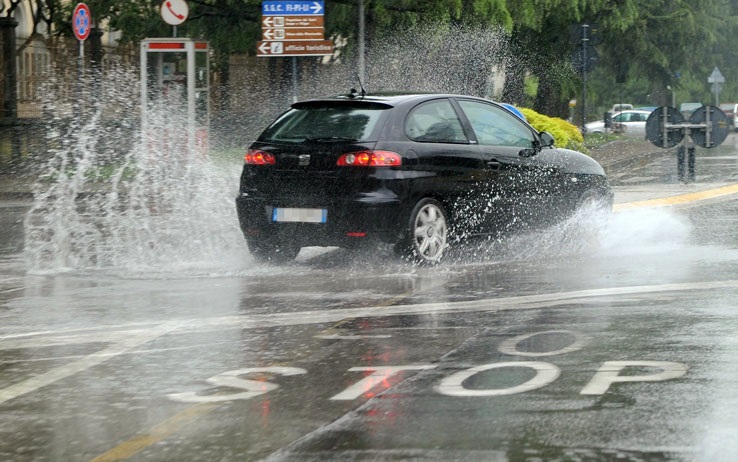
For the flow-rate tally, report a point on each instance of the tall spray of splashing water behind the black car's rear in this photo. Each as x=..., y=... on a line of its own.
x=108, y=199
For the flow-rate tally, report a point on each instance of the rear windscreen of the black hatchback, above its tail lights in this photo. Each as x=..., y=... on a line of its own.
x=327, y=121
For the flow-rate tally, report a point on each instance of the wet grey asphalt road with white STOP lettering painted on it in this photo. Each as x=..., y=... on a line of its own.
x=547, y=346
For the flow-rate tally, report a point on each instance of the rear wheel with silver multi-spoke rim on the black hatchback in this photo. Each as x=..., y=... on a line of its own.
x=426, y=237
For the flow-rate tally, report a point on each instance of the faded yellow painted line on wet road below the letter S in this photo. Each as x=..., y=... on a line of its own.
x=155, y=434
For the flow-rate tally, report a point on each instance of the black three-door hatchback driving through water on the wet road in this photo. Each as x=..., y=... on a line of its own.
x=415, y=170
